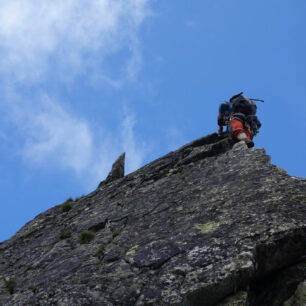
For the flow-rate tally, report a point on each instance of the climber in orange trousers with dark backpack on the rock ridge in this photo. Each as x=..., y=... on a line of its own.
x=239, y=116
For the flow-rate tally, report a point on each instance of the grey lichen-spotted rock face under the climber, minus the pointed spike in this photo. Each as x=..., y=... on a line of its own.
x=208, y=224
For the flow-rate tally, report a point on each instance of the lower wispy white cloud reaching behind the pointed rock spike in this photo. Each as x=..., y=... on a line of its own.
x=54, y=137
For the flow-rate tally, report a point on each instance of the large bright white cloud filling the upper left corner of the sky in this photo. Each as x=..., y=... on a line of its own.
x=65, y=38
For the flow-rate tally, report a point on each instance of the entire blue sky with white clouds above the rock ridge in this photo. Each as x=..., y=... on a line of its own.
x=82, y=82
